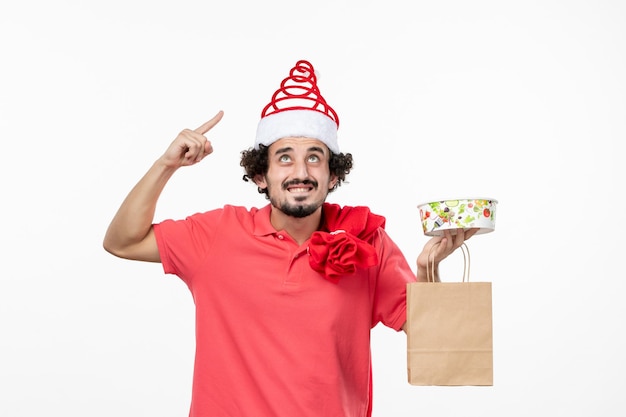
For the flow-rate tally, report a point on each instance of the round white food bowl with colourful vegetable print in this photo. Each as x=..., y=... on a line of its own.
x=465, y=213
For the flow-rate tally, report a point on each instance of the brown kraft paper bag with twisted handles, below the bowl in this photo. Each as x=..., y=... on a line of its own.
x=449, y=331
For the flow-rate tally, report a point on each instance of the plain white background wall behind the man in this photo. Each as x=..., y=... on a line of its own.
x=524, y=102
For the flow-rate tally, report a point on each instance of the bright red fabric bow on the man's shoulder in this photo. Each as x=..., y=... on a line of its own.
x=343, y=247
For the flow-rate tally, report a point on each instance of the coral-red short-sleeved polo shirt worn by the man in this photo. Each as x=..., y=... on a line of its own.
x=273, y=337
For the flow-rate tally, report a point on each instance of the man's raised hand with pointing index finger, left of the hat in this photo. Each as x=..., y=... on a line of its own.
x=190, y=146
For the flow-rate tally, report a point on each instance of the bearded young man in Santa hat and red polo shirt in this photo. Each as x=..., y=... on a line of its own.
x=285, y=295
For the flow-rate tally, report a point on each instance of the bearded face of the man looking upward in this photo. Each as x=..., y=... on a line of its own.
x=298, y=178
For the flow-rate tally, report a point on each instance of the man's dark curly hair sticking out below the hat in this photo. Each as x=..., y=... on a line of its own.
x=255, y=162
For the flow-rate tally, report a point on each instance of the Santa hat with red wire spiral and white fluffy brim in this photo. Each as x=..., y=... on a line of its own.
x=297, y=109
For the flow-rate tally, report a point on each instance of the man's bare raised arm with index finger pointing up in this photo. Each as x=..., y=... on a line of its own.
x=130, y=234
